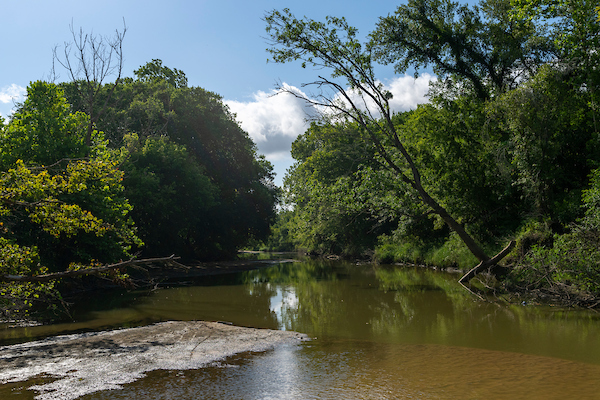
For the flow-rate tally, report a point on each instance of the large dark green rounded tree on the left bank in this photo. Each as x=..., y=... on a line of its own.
x=192, y=171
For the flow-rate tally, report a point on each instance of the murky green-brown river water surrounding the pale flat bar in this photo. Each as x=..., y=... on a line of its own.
x=379, y=333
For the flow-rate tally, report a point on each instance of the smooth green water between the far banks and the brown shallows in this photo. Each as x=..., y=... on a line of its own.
x=333, y=300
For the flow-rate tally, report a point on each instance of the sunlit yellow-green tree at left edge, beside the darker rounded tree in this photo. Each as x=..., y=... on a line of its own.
x=59, y=211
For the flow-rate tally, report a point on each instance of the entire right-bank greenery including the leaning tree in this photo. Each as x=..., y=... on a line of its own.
x=507, y=149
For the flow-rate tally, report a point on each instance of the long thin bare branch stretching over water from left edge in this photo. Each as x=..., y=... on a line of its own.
x=88, y=271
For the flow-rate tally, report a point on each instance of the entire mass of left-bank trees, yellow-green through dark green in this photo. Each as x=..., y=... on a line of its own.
x=166, y=170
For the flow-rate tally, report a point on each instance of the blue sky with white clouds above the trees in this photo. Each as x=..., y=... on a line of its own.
x=219, y=45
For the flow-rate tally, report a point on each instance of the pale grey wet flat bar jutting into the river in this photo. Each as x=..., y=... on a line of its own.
x=90, y=362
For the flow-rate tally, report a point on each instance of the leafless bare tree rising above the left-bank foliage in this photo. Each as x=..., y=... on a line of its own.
x=90, y=60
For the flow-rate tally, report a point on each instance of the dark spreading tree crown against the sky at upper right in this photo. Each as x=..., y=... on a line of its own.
x=479, y=46
